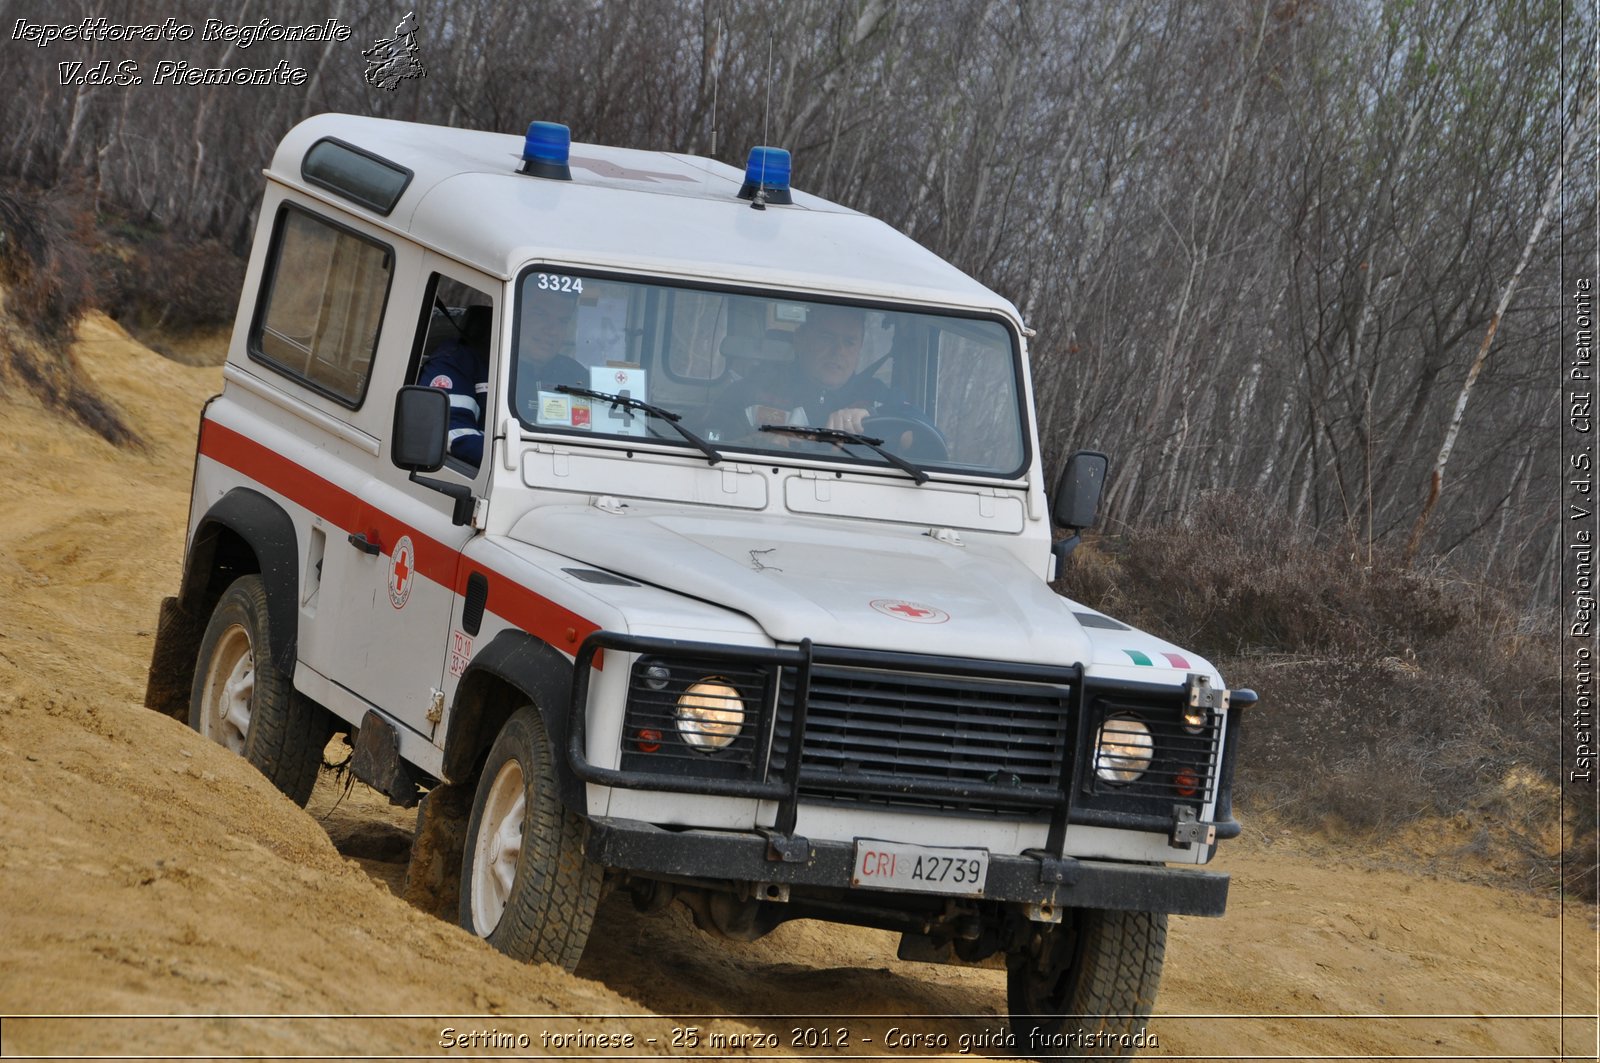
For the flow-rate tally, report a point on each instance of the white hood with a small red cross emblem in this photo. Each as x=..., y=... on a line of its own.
x=884, y=587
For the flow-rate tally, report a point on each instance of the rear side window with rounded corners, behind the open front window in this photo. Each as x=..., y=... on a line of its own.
x=326, y=292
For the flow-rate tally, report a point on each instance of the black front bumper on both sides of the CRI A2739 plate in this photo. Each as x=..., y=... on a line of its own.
x=1028, y=880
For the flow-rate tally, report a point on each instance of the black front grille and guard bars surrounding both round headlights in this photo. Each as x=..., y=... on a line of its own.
x=908, y=731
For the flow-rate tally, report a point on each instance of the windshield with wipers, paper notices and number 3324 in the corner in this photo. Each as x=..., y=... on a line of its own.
x=748, y=372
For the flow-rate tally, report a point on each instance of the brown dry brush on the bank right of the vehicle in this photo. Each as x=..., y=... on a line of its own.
x=1386, y=694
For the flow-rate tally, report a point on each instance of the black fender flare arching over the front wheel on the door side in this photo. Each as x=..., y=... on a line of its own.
x=542, y=673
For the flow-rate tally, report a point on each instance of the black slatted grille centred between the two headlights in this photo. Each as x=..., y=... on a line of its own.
x=878, y=737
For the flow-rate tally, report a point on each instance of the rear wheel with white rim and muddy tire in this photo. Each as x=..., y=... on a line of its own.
x=244, y=702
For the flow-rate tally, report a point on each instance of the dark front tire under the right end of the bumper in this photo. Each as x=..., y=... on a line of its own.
x=1098, y=974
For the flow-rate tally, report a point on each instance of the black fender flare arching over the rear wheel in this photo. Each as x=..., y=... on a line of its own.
x=270, y=534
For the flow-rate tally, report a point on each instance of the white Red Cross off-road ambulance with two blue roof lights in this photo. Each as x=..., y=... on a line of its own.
x=702, y=616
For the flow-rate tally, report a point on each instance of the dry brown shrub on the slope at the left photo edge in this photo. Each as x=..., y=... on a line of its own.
x=47, y=291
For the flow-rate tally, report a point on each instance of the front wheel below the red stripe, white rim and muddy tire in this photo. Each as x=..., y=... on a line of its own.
x=526, y=883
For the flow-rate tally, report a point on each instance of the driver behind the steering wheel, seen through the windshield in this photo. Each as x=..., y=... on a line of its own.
x=822, y=388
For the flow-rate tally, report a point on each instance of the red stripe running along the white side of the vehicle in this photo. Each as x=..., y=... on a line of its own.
x=436, y=561
